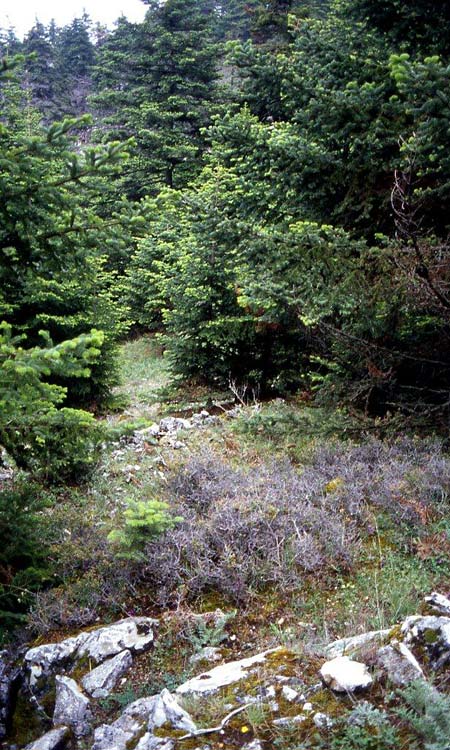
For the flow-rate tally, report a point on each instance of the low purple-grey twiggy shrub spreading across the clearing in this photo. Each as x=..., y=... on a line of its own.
x=247, y=531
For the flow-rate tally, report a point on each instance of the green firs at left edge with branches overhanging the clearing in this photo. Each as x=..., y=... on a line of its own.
x=60, y=312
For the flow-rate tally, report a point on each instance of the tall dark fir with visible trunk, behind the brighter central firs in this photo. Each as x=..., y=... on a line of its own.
x=156, y=82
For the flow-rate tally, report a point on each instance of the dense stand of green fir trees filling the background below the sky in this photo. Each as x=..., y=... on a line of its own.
x=265, y=184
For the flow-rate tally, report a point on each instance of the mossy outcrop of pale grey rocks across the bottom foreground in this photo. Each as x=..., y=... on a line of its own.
x=62, y=683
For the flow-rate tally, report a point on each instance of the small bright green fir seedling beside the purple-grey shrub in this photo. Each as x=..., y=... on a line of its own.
x=144, y=521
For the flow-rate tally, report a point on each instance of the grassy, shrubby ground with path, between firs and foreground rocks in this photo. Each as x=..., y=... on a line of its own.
x=299, y=534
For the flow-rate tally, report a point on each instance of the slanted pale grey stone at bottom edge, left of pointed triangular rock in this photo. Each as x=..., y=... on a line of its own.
x=128, y=727
